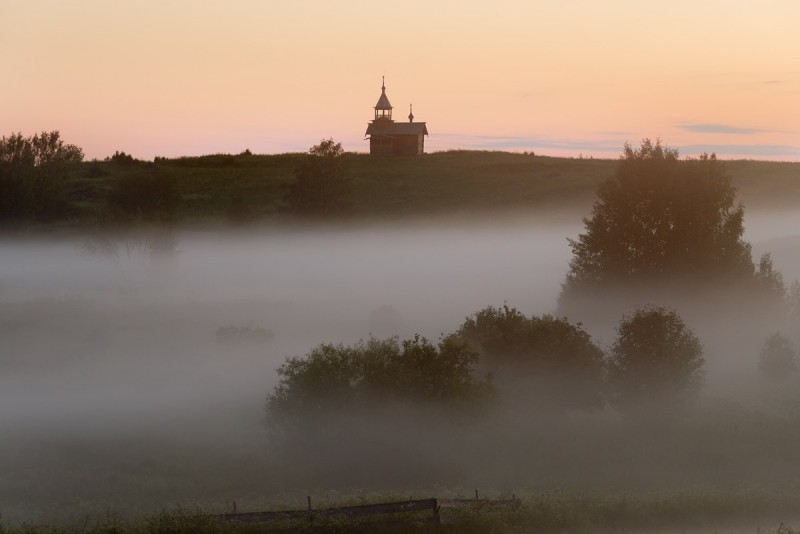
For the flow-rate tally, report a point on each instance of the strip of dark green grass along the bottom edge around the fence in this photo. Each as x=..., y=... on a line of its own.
x=543, y=513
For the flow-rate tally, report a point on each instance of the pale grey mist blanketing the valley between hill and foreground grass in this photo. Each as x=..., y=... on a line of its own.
x=119, y=391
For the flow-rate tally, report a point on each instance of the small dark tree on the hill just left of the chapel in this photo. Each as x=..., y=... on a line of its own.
x=321, y=187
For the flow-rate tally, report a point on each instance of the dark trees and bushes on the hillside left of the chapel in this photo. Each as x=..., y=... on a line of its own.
x=34, y=172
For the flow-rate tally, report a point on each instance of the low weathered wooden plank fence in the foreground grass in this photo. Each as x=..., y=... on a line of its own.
x=387, y=508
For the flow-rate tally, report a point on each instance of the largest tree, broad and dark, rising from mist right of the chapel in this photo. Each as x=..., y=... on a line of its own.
x=660, y=219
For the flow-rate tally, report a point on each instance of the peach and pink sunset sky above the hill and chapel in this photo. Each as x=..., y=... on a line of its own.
x=569, y=77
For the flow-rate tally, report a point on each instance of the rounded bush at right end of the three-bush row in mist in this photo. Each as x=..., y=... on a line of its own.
x=655, y=357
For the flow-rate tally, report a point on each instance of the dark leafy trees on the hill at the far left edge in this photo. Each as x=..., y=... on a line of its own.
x=32, y=173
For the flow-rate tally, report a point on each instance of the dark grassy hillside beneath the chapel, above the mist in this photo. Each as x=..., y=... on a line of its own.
x=225, y=187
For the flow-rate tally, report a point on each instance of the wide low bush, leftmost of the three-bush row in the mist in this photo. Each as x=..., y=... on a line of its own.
x=373, y=374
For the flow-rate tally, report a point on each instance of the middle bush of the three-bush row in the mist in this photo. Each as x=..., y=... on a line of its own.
x=557, y=360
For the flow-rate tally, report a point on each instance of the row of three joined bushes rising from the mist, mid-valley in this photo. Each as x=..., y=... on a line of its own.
x=543, y=363
